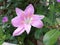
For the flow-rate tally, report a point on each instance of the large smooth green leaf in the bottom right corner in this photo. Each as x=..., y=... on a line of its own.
x=51, y=37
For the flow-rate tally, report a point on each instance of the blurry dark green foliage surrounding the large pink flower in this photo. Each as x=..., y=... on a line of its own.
x=50, y=31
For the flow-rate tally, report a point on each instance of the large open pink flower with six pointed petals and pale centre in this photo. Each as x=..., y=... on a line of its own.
x=25, y=19
